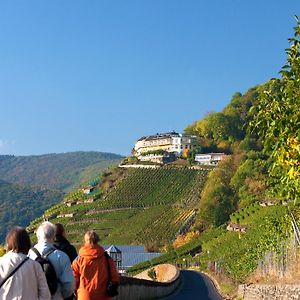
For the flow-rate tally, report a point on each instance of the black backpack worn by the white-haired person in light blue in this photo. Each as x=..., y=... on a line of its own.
x=48, y=269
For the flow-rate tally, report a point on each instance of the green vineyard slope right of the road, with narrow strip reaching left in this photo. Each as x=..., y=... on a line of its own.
x=231, y=253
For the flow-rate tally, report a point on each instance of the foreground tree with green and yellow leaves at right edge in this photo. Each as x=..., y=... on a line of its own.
x=277, y=121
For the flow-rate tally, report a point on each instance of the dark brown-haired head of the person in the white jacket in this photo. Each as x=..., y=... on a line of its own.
x=17, y=240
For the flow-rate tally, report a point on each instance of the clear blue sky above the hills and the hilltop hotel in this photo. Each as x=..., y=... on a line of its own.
x=97, y=75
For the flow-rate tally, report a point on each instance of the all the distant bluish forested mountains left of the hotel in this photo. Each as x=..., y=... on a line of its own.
x=31, y=184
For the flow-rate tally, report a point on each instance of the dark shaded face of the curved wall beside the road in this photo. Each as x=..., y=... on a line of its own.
x=140, y=289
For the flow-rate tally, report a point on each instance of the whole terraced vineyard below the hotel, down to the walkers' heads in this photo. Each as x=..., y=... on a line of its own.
x=148, y=206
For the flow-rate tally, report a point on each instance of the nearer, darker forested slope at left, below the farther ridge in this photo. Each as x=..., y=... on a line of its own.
x=19, y=205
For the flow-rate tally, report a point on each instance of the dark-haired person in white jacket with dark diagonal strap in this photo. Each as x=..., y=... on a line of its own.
x=28, y=281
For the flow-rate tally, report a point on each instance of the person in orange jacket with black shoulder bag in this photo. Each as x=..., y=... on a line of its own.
x=91, y=270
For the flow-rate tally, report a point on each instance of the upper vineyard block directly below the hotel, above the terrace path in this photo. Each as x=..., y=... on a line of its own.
x=156, y=187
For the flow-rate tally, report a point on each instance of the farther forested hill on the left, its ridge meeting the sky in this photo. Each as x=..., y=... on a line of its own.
x=55, y=171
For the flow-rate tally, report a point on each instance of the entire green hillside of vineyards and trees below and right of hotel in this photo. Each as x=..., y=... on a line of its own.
x=244, y=213
